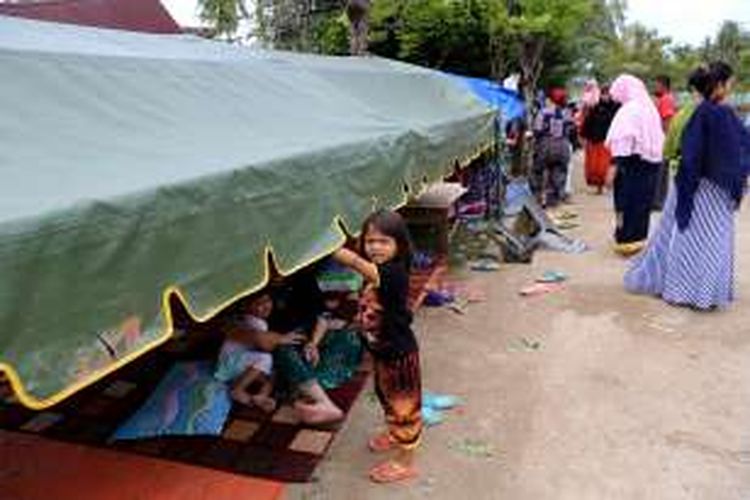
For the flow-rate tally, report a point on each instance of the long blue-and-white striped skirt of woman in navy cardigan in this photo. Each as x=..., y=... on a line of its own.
x=694, y=267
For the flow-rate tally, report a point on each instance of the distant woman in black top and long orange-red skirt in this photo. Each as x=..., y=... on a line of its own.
x=599, y=113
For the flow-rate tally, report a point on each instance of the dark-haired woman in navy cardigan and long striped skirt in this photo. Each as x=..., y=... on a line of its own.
x=690, y=259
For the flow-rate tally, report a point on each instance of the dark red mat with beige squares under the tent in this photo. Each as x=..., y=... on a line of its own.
x=254, y=444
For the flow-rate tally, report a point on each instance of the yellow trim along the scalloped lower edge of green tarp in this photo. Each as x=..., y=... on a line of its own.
x=338, y=224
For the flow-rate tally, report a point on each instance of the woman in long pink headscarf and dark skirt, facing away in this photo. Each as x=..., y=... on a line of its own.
x=636, y=141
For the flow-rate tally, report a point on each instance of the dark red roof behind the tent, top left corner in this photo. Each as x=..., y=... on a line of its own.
x=148, y=16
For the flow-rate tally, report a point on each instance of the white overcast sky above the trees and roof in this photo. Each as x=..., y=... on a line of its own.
x=685, y=21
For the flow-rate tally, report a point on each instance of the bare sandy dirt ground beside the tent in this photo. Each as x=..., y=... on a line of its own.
x=623, y=397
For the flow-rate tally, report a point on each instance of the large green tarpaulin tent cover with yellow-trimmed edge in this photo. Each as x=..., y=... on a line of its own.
x=134, y=165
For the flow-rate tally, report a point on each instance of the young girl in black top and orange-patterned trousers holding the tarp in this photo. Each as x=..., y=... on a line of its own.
x=386, y=323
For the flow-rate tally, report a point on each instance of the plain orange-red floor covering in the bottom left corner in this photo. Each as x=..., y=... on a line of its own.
x=36, y=468
